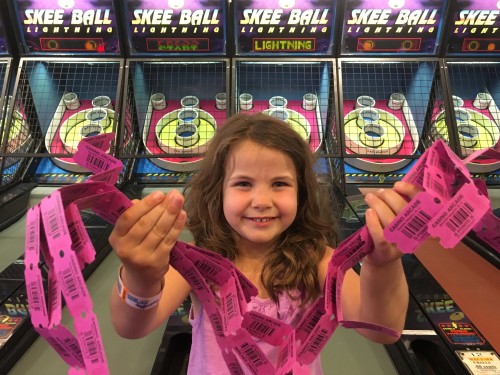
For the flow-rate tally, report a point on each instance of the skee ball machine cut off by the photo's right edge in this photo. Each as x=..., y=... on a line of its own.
x=473, y=74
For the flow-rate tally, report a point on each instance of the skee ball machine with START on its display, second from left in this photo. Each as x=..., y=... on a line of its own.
x=176, y=92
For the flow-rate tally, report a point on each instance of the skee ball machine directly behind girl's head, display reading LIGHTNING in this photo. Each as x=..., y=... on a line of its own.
x=284, y=66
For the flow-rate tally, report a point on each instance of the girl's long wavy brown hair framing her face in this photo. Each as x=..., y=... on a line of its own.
x=293, y=265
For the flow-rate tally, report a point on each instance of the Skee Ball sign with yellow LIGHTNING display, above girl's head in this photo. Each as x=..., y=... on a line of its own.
x=284, y=26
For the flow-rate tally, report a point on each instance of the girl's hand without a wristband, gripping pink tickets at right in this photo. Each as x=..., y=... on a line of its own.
x=385, y=204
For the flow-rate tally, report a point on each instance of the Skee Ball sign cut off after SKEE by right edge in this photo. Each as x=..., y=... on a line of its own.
x=475, y=28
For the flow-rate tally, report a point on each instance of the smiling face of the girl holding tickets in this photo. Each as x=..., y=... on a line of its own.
x=259, y=194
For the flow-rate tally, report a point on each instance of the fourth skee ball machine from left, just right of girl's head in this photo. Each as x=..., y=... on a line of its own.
x=389, y=83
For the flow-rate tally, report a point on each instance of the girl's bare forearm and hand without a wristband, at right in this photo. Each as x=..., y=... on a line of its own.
x=380, y=294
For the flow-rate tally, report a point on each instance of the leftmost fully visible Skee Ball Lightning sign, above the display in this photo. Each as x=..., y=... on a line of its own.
x=78, y=26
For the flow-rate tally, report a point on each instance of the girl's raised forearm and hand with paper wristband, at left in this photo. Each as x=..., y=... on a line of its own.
x=142, y=238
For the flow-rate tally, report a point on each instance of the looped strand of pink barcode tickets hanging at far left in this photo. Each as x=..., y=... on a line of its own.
x=55, y=229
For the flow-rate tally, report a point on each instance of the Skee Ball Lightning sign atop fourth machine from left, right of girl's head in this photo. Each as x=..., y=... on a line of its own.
x=392, y=26
